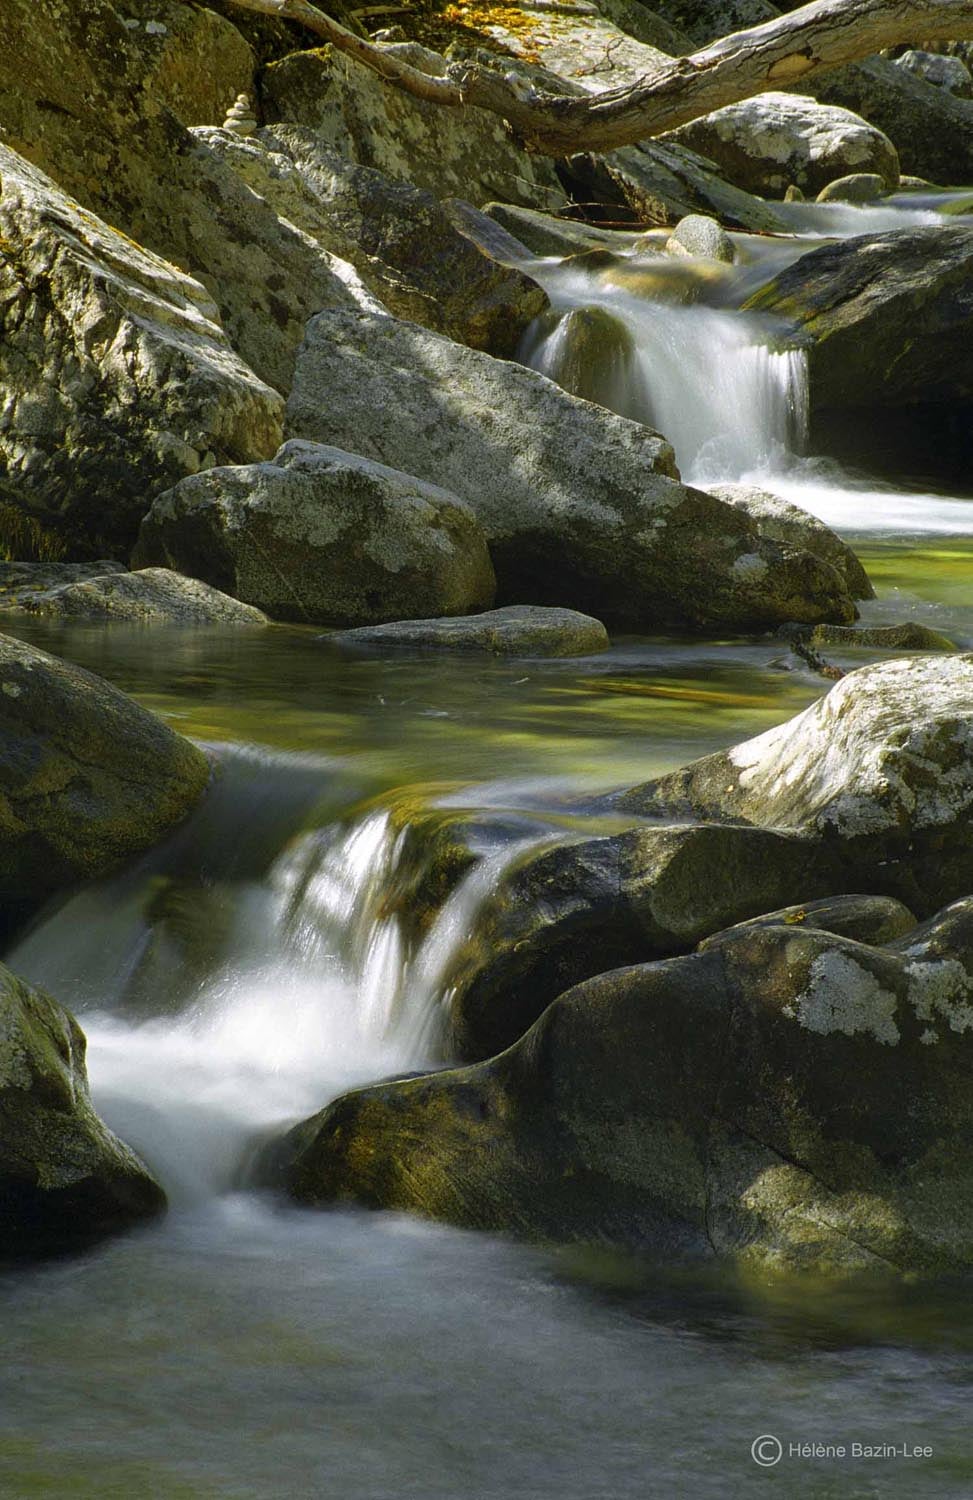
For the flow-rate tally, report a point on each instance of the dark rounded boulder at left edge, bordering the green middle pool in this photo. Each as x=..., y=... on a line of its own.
x=88, y=778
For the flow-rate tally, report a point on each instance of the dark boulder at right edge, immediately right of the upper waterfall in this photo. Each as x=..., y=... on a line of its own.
x=888, y=319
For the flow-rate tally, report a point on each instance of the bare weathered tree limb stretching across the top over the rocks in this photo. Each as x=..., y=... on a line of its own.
x=779, y=53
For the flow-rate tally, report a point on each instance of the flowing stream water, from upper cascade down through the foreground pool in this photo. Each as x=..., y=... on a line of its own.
x=242, y=976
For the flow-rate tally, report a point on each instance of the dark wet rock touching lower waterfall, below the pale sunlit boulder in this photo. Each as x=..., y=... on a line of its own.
x=564, y=914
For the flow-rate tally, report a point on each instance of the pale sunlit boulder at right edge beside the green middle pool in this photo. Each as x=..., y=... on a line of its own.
x=879, y=773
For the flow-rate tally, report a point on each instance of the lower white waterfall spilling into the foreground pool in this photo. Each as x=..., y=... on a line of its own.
x=220, y=1012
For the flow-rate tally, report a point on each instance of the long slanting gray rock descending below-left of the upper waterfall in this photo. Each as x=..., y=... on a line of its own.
x=581, y=508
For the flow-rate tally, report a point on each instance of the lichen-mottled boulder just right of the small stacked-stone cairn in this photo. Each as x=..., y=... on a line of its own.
x=464, y=154
